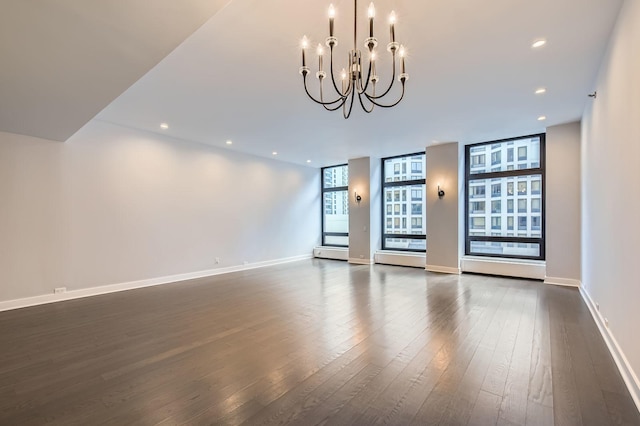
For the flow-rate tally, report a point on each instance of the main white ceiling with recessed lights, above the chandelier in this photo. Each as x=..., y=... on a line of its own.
x=472, y=71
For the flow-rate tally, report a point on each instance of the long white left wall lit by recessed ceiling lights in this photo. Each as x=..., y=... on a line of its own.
x=114, y=205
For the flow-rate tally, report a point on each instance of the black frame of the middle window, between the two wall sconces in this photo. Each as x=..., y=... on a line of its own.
x=409, y=200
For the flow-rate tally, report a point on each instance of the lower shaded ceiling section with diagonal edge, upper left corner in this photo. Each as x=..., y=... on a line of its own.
x=63, y=61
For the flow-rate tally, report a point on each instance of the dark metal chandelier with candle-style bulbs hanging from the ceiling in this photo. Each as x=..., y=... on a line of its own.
x=352, y=80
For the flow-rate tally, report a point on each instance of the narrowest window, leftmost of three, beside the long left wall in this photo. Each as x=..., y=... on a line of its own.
x=335, y=206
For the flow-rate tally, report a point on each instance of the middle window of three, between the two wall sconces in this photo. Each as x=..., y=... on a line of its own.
x=403, y=220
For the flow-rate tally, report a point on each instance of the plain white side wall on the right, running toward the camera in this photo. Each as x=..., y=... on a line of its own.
x=611, y=187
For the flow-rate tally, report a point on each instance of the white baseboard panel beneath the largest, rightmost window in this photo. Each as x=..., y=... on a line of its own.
x=520, y=268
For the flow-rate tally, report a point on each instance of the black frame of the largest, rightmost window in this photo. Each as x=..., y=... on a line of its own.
x=487, y=176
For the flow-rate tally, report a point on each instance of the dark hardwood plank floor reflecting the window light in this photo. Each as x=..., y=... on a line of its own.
x=314, y=342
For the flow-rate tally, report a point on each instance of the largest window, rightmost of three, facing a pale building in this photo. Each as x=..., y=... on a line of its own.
x=513, y=178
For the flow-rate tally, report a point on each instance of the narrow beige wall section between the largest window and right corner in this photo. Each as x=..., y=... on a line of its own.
x=562, y=204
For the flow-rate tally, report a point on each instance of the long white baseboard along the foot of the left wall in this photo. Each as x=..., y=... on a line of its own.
x=112, y=288
